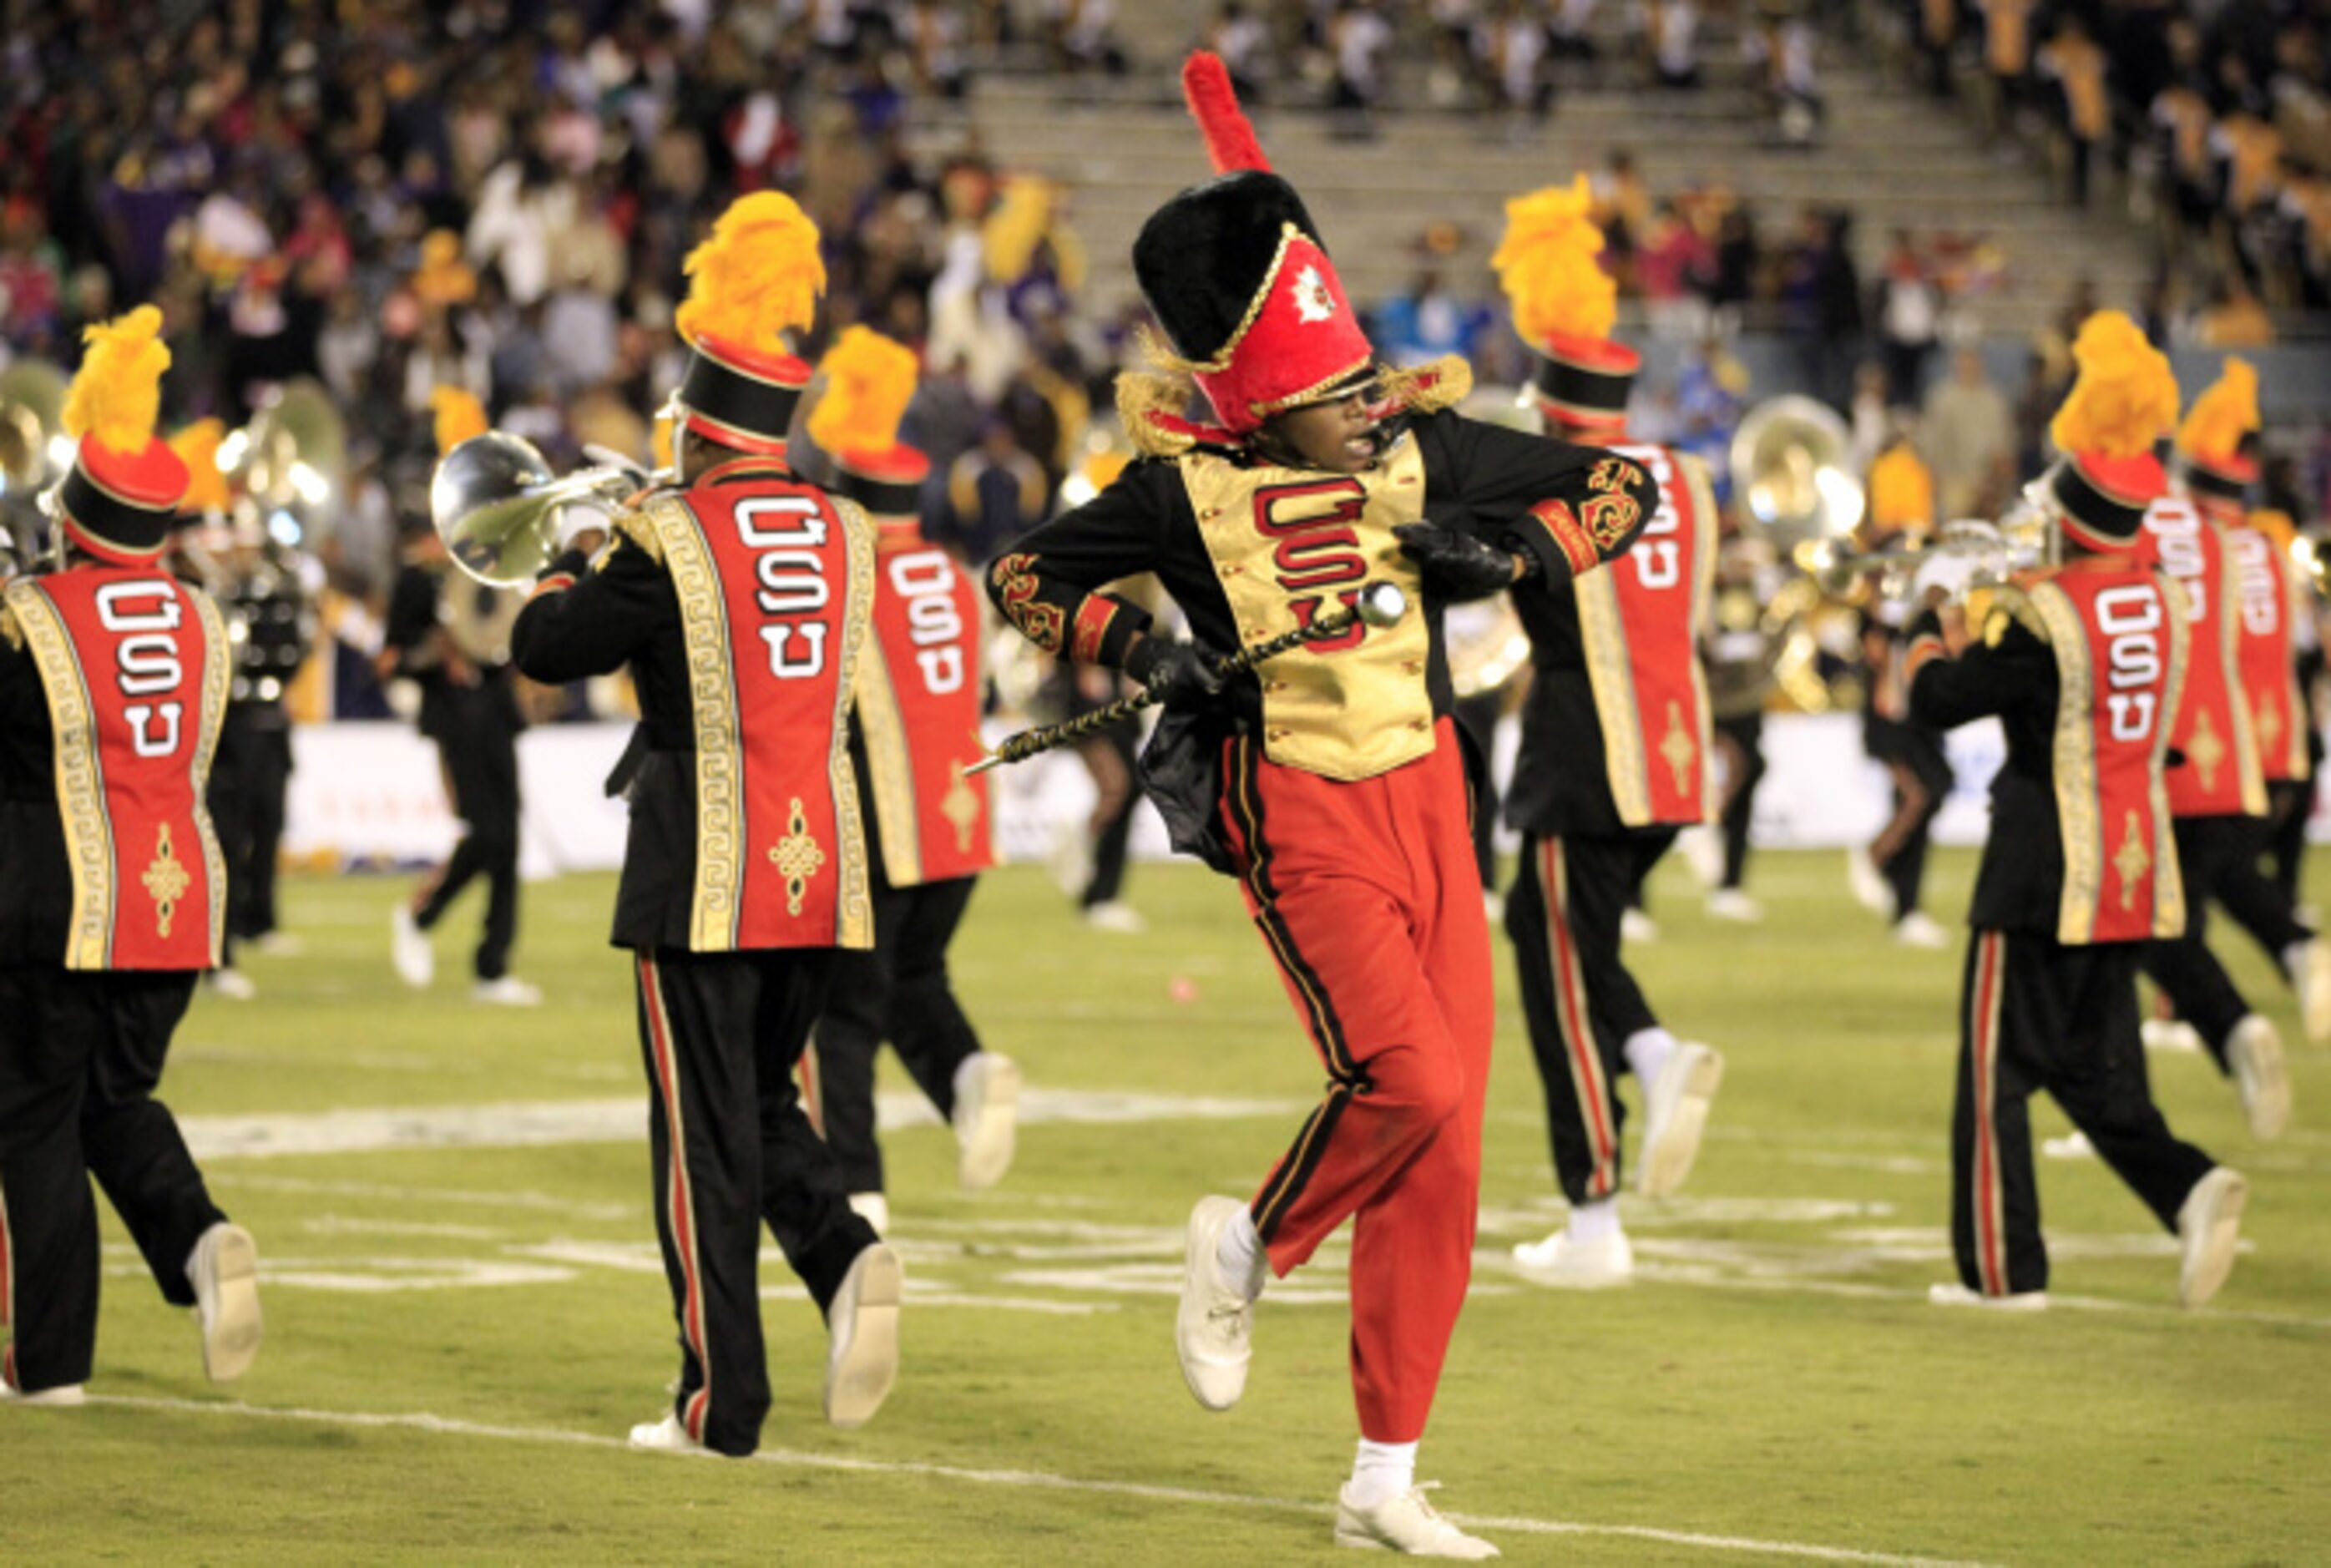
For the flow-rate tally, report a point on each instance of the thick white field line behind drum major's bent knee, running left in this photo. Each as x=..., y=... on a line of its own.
x=535, y=1124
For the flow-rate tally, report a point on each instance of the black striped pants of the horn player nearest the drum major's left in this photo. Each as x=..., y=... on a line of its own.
x=733, y=1150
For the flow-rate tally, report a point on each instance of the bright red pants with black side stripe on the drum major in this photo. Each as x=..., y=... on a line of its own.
x=1369, y=900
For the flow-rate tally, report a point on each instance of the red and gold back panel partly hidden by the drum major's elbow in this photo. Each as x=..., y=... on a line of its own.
x=1640, y=621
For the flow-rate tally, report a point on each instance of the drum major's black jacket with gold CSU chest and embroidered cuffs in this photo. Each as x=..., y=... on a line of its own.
x=1253, y=551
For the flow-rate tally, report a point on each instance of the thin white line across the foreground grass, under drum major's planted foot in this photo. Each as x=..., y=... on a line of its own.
x=1038, y=1481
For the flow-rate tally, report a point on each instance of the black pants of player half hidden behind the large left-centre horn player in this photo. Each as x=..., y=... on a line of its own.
x=901, y=994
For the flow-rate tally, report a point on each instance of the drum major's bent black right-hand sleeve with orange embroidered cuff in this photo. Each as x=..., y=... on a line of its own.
x=1572, y=509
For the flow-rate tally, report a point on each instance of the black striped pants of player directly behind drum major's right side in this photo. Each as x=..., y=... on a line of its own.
x=1563, y=917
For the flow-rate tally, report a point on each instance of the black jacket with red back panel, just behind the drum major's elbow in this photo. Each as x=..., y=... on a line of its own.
x=1617, y=730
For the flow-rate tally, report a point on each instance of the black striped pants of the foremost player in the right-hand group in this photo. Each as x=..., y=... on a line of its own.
x=2043, y=1017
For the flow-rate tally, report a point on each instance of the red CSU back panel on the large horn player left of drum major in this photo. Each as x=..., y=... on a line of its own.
x=775, y=584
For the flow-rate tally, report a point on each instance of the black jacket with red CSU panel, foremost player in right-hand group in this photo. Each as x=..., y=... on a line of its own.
x=2085, y=670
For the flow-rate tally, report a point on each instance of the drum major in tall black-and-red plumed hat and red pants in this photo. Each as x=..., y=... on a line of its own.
x=1334, y=782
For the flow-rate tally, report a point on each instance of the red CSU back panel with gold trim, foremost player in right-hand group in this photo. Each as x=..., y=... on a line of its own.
x=2120, y=656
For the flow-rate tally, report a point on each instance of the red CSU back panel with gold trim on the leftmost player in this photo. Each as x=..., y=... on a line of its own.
x=136, y=672
